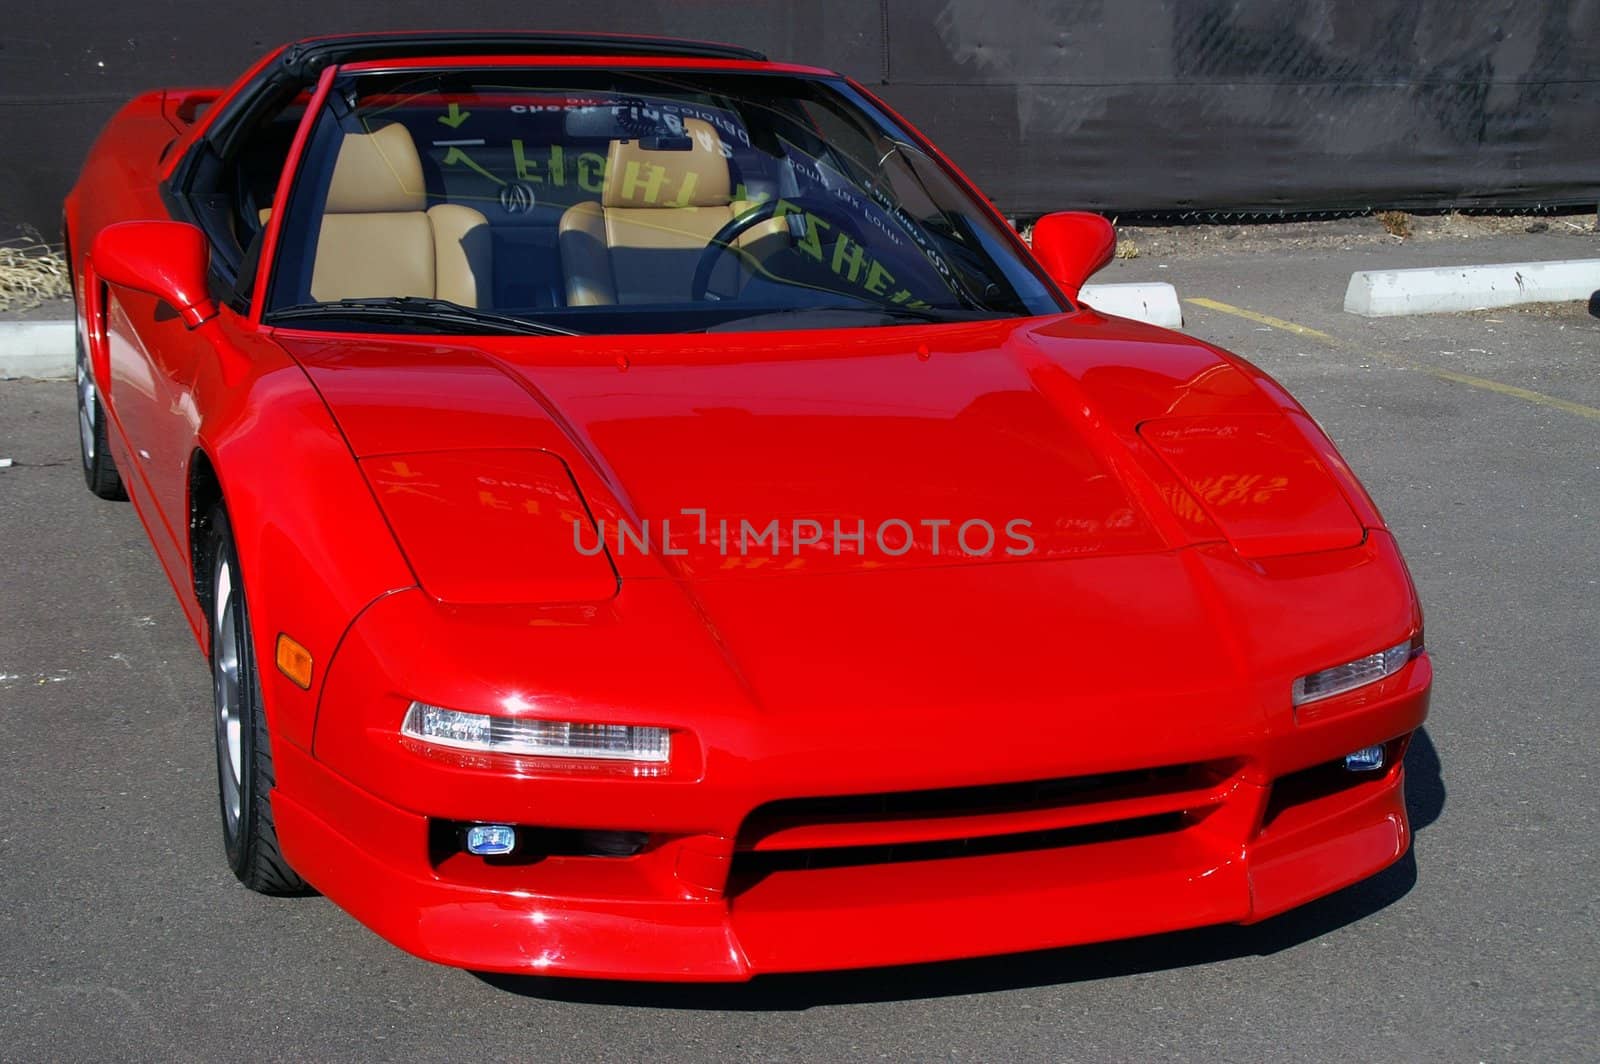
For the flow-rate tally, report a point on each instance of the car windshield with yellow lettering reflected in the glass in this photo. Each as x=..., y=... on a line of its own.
x=631, y=202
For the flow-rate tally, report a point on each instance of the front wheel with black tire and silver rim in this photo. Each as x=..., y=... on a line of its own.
x=244, y=751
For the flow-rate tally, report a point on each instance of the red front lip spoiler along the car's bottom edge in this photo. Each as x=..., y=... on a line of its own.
x=850, y=918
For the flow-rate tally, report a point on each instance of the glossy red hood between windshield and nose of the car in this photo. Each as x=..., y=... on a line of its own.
x=740, y=455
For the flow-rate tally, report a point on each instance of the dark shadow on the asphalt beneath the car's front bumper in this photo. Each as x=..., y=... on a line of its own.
x=1074, y=964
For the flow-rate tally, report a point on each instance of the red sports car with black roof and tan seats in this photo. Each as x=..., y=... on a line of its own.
x=650, y=518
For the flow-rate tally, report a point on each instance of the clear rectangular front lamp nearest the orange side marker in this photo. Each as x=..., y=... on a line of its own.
x=538, y=738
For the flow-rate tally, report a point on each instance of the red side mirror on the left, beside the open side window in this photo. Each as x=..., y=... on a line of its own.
x=166, y=260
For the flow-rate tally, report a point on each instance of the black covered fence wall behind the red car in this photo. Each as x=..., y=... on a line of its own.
x=1110, y=105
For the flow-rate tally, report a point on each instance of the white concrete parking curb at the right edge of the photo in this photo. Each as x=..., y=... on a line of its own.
x=1450, y=289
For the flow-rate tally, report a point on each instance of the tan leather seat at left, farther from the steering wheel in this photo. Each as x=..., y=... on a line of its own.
x=382, y=239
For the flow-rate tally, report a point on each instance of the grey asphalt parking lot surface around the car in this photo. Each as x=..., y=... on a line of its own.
x=124, y=937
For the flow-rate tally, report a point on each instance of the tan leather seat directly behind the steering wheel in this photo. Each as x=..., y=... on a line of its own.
x=657, y=214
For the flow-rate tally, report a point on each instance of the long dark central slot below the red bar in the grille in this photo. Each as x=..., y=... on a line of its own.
x=750, y=868
